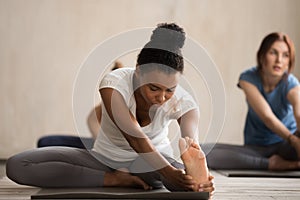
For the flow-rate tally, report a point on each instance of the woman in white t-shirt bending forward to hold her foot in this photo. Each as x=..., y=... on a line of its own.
x=132, y=148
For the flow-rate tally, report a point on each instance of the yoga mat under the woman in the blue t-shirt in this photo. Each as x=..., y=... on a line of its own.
x=260, y=173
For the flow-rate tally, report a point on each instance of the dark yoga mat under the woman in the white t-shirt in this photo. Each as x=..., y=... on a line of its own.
x=115, y=193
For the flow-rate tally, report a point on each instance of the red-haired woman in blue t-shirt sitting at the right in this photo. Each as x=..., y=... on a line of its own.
x=271, y=133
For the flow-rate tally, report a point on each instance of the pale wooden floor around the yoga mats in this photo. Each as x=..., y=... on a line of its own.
x=226, y=188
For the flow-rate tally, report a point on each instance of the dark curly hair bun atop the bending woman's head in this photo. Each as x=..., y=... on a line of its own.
x=168, y=36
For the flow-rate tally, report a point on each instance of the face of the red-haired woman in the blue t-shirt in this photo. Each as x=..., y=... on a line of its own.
x=277, y=59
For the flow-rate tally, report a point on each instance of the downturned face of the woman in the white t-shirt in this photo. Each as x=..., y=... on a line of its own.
x=157, y=87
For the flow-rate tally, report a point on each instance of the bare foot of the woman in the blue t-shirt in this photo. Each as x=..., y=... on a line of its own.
x=276, y=163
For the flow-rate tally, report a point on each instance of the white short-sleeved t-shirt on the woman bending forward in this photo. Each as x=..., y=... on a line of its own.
x=110, y=141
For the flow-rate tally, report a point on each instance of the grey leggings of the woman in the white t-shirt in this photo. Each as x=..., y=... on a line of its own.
x=72, y=167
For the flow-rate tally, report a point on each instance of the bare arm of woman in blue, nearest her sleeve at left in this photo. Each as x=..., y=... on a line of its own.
x=263, y=110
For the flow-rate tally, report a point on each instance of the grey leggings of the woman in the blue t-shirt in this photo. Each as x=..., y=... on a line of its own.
x=226, y=156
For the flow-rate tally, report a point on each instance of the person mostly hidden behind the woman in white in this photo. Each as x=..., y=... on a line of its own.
x=93, y=122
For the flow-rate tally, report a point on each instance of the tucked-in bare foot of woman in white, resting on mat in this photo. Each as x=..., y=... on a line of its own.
x=121, y=178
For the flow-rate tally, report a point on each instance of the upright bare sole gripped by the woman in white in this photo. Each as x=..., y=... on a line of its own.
x=194, y=161
